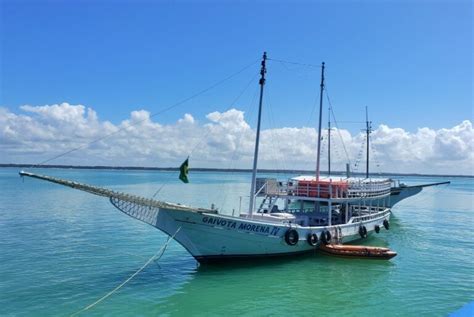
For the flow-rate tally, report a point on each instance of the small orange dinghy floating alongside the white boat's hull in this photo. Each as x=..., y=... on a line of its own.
x=358, y=251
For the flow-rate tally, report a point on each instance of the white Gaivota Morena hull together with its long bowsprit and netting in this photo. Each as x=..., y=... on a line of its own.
x=209, y=236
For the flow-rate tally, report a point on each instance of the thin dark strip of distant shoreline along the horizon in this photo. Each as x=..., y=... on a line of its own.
x=202, y=169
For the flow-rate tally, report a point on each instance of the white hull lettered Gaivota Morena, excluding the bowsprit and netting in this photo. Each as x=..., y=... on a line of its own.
x=209, y=237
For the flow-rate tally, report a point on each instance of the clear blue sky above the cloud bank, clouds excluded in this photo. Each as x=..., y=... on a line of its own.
x=410, y=62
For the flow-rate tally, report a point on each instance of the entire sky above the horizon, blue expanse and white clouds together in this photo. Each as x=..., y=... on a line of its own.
x=74, y=71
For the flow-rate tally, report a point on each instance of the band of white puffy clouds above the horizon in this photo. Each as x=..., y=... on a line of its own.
x=224, y=140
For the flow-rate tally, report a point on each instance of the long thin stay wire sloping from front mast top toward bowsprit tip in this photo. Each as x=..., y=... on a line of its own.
x=218, y=83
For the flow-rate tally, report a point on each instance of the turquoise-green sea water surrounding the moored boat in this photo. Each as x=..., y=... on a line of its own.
x=62, y=249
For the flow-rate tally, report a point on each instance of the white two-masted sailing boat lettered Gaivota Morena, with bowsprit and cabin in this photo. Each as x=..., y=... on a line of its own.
x=343, y=210
